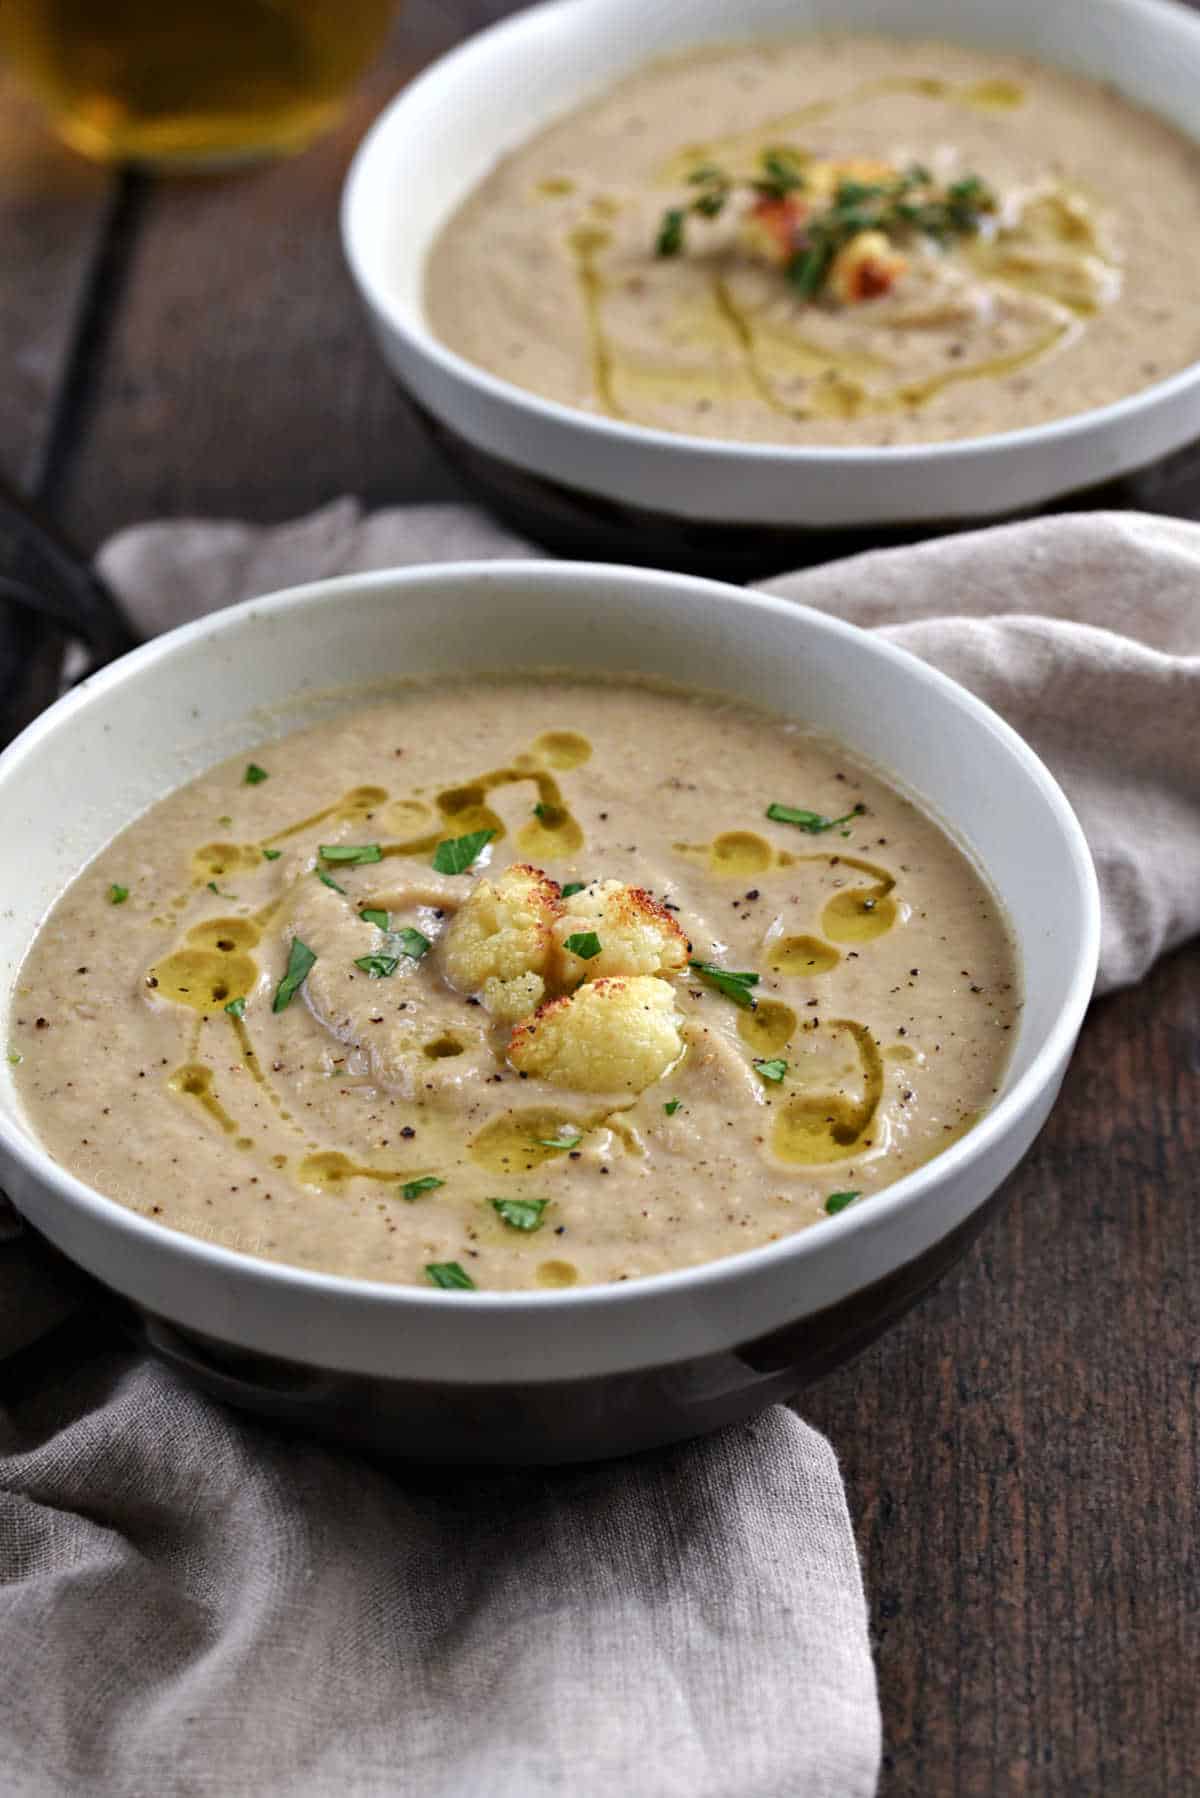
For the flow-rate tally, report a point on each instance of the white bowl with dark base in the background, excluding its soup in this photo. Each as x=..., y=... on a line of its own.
x=447, y=130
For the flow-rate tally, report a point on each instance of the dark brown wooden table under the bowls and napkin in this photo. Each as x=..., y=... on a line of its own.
x=1023, y=1454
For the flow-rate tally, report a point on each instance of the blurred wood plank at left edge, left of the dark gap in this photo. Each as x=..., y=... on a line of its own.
x=55, y=211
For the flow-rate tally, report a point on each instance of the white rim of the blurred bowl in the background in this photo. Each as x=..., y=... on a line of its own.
x=622, y=432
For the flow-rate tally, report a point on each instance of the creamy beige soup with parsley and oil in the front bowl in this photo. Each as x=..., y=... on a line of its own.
x=517, y=983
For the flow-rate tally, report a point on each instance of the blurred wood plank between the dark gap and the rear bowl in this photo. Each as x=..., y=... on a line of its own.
x=240, y=377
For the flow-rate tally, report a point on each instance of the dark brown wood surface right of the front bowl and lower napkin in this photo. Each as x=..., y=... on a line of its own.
x=1023, y=1454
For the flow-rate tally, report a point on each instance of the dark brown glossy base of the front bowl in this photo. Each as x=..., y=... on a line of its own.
x=555, y=1421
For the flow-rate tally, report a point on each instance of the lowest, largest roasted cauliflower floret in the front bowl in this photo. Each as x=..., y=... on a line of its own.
x=613, y=1037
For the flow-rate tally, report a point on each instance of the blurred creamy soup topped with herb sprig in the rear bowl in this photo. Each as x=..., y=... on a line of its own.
x=834, y=242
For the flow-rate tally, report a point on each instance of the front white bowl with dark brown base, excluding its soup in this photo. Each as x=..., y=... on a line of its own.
x=541, y=1376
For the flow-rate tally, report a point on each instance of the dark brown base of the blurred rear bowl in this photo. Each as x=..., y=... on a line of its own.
x=586, y=528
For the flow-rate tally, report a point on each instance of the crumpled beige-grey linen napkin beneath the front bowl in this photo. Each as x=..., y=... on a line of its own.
x=193, y=1603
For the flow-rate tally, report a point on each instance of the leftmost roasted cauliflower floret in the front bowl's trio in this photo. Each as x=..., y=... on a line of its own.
x=501, y=943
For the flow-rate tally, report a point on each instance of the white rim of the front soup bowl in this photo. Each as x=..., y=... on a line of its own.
x=614, y=1299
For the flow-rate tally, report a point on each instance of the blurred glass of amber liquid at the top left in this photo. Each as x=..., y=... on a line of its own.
x=192, y=84
